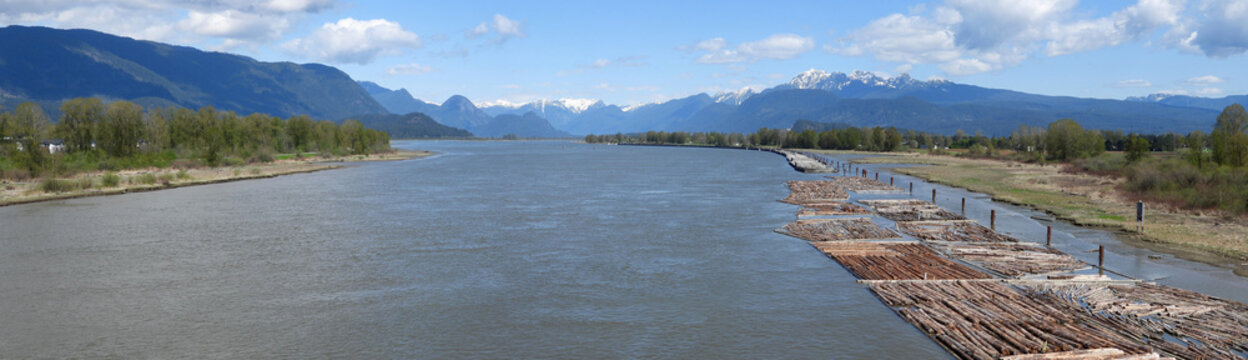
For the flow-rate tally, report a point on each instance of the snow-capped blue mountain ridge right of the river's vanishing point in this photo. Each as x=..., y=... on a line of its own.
x=868, y=99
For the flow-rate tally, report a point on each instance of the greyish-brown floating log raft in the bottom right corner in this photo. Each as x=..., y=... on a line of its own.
x=1175, y=322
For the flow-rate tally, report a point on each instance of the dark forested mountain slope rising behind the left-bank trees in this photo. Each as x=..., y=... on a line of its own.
x=48, y=66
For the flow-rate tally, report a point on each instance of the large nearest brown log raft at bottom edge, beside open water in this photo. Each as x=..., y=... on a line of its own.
x=989, y=319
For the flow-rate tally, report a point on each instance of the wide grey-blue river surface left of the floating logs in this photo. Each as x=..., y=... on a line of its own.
x=490, y=251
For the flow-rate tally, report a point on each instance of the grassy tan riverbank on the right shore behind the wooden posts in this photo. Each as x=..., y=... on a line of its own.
x=1086, y=201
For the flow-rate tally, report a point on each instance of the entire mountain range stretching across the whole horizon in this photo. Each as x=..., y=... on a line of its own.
x=48, y=66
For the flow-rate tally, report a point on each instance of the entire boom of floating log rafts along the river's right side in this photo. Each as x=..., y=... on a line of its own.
x=982, y=294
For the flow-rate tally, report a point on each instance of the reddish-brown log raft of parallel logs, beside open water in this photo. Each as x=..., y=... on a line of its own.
x=895, y=262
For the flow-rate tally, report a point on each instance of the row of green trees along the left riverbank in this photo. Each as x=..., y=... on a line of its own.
x=122, y=134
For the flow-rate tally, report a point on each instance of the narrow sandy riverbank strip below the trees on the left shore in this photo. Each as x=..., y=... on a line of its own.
x=135, y=181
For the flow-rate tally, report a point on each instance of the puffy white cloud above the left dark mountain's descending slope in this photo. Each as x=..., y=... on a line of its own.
x=350, y=41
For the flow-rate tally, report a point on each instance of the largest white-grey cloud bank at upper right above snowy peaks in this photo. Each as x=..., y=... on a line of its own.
x=972, y=37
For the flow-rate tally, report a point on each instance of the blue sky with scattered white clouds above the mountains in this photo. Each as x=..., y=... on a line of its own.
x=642, y=52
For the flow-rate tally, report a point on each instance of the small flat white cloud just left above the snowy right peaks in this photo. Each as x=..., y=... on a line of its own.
x=779, y=47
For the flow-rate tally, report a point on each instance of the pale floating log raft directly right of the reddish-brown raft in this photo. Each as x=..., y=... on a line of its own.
x=1012, y=261
